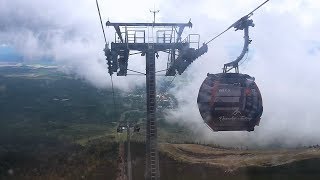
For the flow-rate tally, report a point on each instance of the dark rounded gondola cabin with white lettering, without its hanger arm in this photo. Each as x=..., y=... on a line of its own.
x=230, y=102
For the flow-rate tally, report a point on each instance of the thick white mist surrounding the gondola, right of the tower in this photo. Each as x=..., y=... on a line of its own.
x=283, y=57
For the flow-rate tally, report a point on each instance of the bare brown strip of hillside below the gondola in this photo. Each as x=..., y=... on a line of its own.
x=234, y=159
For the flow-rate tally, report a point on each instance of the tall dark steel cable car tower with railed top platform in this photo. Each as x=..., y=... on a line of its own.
x=137, y=37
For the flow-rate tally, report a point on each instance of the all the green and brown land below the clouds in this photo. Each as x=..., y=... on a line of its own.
x=53, y=126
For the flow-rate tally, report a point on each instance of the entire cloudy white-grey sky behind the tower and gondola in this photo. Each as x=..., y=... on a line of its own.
x=284, y=56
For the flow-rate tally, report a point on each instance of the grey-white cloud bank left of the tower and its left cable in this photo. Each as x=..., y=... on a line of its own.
x=68, y=33
